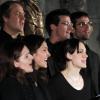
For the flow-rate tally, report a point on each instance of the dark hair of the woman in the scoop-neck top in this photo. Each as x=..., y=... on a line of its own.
x=61, y=48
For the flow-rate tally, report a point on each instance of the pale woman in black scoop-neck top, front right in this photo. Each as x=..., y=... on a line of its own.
x=71, y=83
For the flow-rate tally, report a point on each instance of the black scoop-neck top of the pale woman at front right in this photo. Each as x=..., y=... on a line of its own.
x=60, y=89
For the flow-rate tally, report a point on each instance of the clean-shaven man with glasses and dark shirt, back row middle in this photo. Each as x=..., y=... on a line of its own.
x=58, y=26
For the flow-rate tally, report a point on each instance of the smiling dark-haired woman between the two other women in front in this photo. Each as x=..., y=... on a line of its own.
x=39, y=50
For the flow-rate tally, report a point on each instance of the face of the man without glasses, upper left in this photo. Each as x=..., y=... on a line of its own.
x=16, y=19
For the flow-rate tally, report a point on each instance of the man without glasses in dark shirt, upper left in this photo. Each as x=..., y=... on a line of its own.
x=11, y=20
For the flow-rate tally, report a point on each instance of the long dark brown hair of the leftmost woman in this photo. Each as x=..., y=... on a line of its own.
x=9, y=52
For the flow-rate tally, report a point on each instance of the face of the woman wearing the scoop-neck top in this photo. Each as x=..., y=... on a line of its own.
x=79, y=58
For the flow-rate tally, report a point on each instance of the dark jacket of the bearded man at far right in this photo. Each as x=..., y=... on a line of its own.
x=93, y=67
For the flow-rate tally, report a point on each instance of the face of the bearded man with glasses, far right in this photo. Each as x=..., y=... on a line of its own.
x=83, y=28
